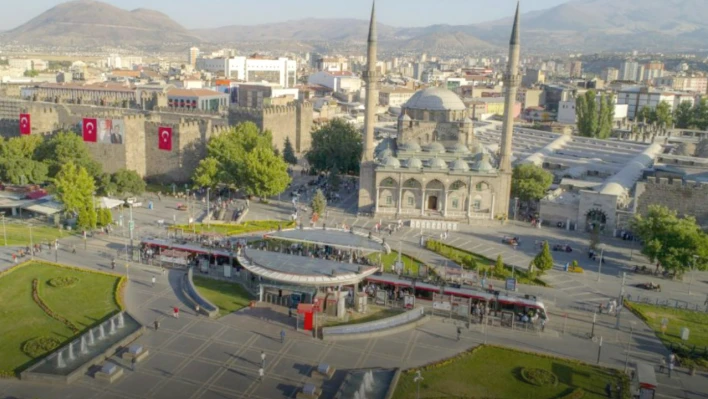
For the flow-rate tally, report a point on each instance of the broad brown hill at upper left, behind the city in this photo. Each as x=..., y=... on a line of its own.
x=86, y=23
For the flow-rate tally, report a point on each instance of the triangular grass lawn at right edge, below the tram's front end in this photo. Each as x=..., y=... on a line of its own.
x=697, y=323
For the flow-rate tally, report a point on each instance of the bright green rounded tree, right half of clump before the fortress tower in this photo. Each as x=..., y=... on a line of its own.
x=266, y=174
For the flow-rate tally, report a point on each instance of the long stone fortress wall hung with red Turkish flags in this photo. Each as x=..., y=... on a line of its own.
x=139, y=150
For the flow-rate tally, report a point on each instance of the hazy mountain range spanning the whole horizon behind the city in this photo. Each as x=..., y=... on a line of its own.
x=579, y=25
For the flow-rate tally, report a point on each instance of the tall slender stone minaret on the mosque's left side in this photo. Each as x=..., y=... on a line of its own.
x=367, y=184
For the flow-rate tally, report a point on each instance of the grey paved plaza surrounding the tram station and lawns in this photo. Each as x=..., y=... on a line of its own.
x=194, y=357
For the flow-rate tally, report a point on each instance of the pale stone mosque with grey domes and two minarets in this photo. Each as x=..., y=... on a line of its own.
x=437, y=169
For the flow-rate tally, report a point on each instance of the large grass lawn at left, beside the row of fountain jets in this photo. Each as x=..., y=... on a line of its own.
x=89, y=300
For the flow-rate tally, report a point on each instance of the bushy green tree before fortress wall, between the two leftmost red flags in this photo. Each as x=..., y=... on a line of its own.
x=67, y=147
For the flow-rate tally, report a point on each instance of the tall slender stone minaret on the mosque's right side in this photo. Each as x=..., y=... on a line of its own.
x=512, y=79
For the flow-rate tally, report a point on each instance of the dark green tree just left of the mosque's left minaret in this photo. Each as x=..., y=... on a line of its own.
x=336, y=145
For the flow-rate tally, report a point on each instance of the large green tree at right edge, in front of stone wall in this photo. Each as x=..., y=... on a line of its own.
x=676, y=243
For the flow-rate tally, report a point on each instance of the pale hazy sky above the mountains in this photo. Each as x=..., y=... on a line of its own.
x=213, y=13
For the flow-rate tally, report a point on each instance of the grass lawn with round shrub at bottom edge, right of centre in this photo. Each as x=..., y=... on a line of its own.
x=495, y=372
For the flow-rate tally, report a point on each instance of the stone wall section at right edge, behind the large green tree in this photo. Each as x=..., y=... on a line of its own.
x=685, y=197
